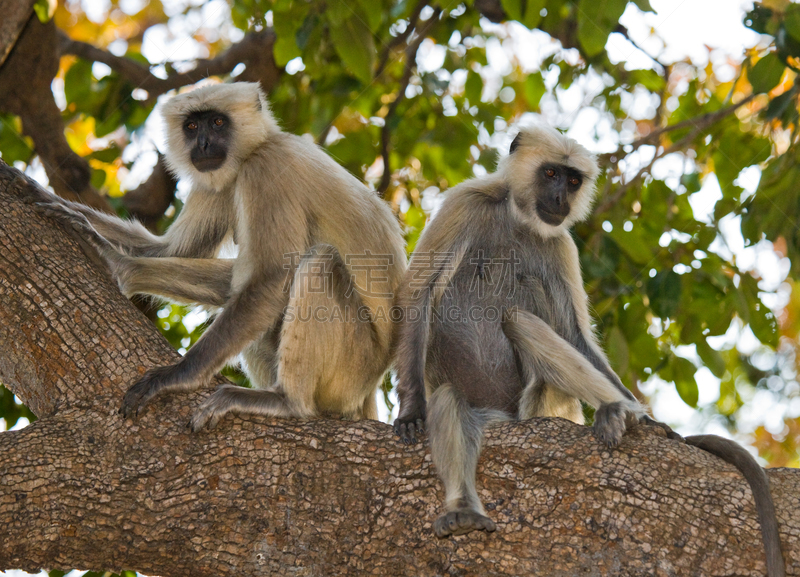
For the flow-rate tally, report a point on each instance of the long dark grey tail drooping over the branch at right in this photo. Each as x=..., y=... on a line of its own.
x=731, y=452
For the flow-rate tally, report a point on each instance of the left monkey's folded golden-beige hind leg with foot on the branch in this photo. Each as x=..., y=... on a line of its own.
x=328, y=360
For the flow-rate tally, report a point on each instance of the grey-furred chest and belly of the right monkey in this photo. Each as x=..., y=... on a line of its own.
x=504, y=265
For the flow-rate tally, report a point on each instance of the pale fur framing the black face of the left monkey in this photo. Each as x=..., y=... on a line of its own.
x=251, y=123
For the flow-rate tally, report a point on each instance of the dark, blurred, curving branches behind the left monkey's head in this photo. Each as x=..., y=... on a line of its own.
x=25, y=80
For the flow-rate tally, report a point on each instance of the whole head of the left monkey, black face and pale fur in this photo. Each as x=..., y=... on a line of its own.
x=211, y=130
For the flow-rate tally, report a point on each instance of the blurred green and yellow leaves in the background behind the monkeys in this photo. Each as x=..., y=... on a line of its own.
x=410, y=83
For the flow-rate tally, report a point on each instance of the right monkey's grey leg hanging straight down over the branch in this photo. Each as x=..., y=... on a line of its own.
x=455, y=431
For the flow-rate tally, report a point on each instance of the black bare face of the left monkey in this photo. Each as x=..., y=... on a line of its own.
x=209, y=133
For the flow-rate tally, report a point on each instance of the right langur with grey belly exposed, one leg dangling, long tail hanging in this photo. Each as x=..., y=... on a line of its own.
x=495, y=325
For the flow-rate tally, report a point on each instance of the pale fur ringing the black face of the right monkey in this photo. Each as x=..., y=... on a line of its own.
x=542, y=144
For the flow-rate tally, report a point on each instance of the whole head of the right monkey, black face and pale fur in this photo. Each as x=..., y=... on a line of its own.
x=551, y=178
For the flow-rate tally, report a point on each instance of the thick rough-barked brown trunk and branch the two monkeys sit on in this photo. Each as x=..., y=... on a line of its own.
x=83, y=488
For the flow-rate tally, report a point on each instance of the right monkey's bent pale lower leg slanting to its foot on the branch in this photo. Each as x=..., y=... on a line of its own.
x=545, y=354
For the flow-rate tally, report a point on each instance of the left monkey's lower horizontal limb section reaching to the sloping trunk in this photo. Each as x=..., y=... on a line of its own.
x=187, y=280
